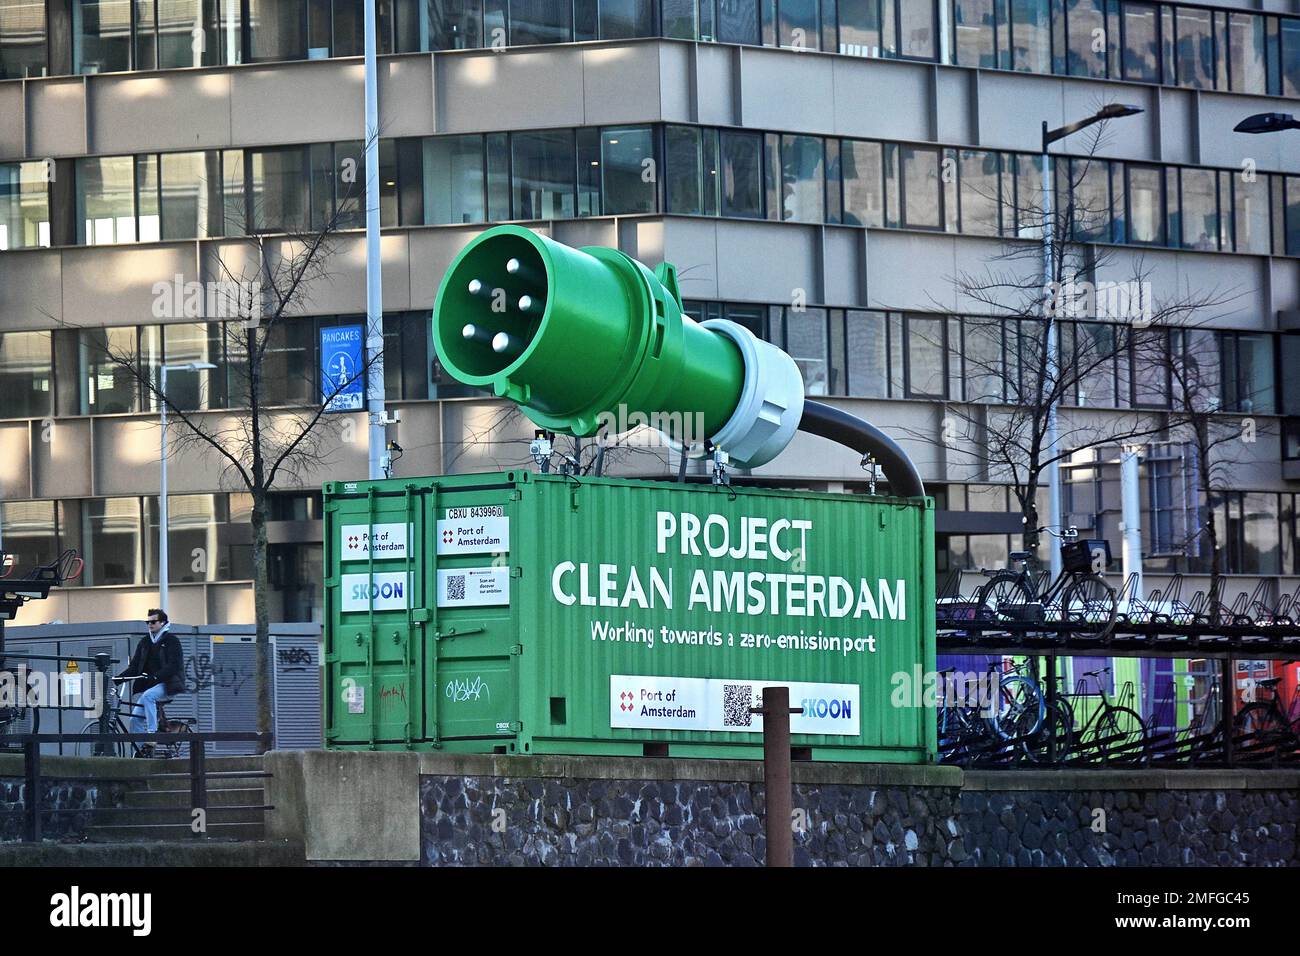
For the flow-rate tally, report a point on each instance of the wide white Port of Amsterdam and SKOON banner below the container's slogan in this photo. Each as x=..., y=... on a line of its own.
x=721, y=704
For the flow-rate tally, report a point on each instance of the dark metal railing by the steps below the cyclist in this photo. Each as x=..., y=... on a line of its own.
x=198, y=775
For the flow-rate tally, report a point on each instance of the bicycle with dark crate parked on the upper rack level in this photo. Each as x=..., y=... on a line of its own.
x=1080, y=595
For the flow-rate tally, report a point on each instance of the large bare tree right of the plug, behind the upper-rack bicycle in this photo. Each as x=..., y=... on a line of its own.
x=1054, y=338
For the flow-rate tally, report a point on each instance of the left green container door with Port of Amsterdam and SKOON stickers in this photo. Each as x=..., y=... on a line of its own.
x=378, y=604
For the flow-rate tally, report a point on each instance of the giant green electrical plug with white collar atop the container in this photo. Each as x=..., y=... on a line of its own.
x=578, y=335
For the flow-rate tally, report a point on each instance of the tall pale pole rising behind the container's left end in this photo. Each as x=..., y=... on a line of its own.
x=378, y=434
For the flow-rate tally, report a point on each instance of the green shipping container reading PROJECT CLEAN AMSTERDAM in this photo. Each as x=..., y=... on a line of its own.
x=523, y=613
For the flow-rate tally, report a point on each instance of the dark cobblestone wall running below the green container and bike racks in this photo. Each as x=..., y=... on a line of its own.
x=573, y=821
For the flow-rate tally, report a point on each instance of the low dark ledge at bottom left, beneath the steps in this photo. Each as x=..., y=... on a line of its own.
x=198, y=854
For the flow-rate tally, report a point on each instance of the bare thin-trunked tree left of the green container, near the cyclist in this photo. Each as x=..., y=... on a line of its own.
x=262, y=284
